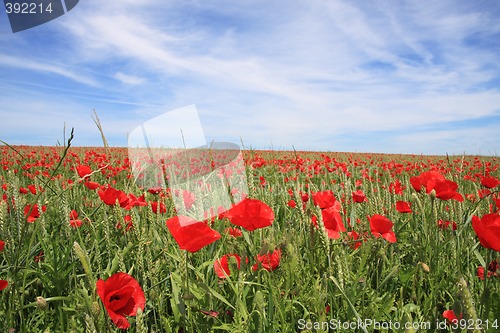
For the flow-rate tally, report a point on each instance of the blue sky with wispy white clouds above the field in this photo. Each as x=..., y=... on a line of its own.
x=363, y=76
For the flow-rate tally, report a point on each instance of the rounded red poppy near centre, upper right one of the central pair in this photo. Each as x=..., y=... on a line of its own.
x=250, y=214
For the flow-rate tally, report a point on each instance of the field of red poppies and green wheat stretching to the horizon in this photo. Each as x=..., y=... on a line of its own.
x=321, y=242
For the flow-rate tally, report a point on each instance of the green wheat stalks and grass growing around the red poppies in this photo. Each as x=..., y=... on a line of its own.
x=52, y=267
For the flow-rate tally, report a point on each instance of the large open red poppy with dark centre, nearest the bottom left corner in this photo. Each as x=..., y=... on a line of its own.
x=122, y=296
